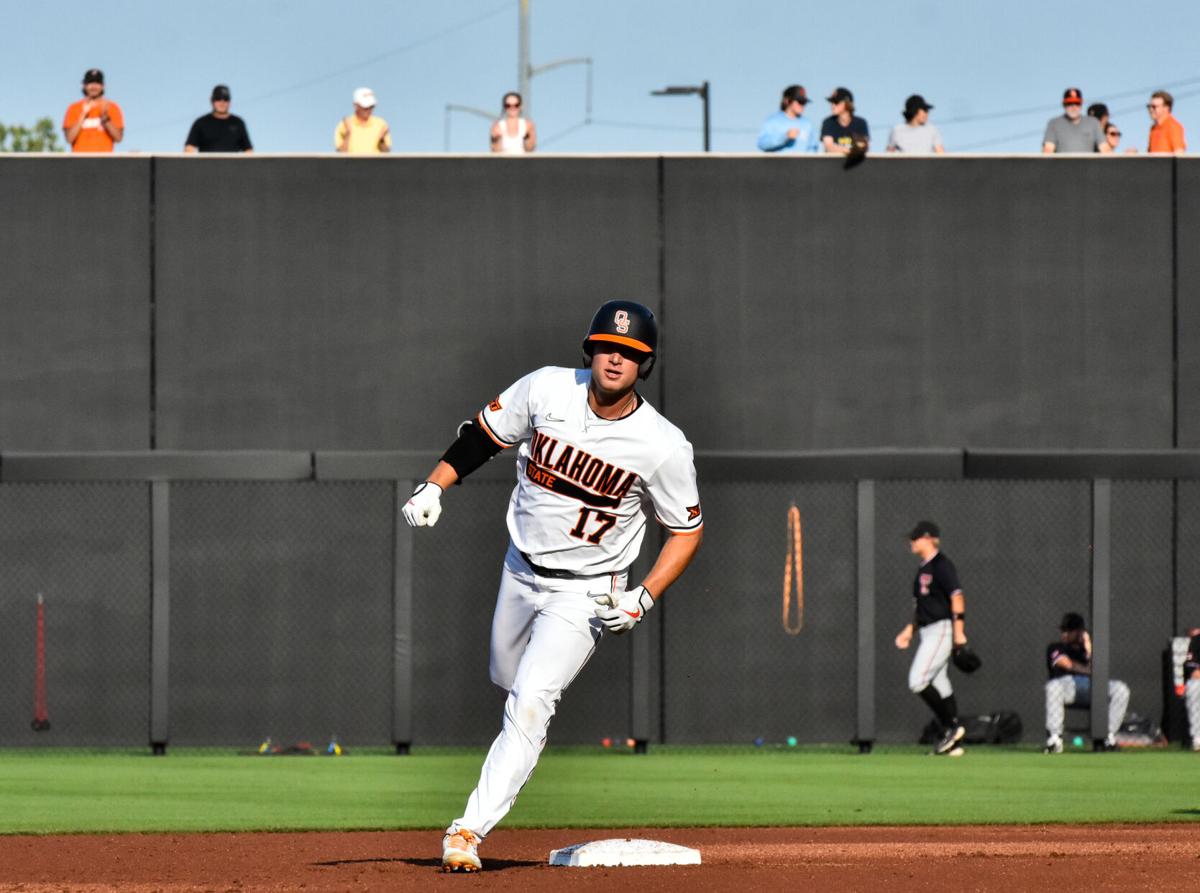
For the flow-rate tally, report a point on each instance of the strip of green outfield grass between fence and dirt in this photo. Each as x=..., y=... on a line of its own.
x=52, y=792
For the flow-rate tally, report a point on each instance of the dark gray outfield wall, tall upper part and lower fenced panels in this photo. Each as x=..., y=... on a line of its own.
x=333, y=304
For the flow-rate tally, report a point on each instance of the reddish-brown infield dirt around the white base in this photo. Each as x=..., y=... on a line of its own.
x=1130, y=858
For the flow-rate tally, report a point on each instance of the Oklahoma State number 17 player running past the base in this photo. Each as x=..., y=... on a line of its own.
x=595, y=460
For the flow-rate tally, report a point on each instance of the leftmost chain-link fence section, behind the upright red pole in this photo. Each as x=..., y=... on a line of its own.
x=85, y=548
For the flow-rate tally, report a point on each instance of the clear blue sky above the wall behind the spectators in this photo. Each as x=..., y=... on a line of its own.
x=995, y=73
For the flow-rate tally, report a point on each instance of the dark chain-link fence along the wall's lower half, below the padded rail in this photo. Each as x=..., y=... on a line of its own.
x=284, y=610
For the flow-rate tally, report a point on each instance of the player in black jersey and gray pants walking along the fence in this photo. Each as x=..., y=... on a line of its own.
x=939, y=616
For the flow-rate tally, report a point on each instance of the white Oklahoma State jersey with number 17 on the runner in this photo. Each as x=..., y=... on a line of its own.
x=585, y=484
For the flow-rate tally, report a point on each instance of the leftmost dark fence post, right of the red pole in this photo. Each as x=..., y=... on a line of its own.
x=160, y=615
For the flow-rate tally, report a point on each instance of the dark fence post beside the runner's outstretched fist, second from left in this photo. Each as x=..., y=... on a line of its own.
x=403, y=621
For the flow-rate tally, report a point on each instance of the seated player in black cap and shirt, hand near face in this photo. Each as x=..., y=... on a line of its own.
x=1070, y=666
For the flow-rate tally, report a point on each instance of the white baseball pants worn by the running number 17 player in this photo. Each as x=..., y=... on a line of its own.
x=544, y=632
